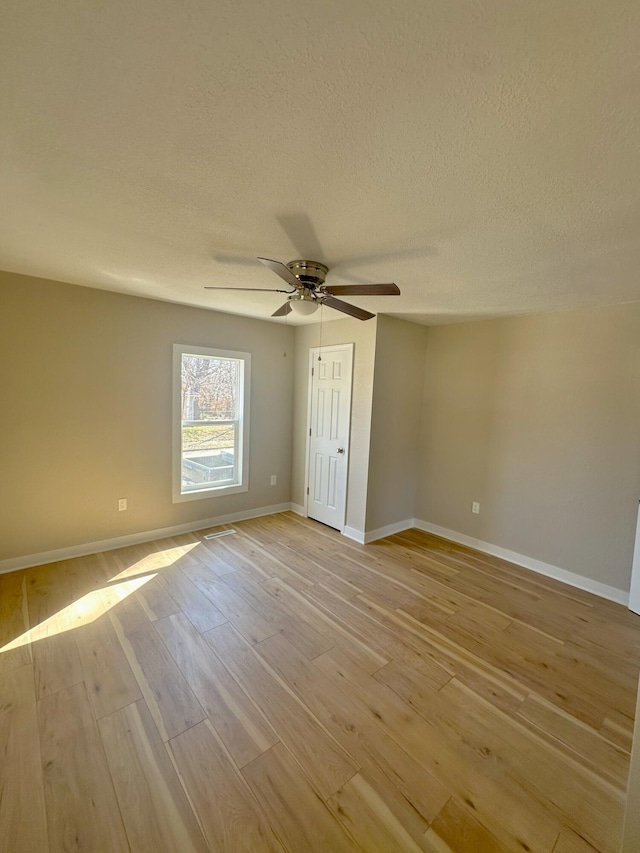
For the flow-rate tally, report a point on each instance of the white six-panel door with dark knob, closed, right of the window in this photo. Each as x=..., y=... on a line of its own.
x=328, y=431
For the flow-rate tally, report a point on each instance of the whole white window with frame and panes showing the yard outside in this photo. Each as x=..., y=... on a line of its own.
x=211, y=422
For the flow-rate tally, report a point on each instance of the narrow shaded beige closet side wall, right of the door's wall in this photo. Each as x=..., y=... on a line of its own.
x=396, y=420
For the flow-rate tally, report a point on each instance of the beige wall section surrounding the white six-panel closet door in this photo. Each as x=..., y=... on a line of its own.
x=363, y=336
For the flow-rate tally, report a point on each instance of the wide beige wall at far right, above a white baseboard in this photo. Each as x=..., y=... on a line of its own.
x=538, y=418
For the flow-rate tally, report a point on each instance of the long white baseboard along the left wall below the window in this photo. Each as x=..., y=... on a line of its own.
x=85, y=548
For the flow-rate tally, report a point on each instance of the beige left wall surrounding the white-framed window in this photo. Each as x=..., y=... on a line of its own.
x=85, y=379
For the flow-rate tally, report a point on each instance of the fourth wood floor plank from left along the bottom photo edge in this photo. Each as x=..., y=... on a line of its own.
x=236, y=823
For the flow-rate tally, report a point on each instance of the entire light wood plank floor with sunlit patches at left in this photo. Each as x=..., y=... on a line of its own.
x=284, y=689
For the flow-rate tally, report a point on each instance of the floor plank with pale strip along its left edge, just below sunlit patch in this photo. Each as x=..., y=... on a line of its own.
x=169, y=698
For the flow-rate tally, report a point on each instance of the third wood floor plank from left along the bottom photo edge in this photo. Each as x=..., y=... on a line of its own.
x=156, y=813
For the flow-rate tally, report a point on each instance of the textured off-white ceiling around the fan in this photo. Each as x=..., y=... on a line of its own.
x=483, y=155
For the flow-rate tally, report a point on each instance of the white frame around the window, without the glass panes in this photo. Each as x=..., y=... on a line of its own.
x=241, y=484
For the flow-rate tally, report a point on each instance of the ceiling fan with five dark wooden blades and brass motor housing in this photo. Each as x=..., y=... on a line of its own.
x=306, y=278
